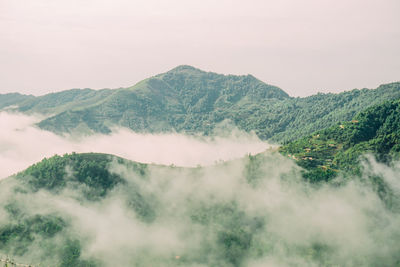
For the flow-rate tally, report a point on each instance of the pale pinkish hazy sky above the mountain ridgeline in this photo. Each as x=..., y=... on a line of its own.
x=302, y=46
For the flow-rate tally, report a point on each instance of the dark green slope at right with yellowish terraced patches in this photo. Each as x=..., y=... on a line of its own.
x=375, y=130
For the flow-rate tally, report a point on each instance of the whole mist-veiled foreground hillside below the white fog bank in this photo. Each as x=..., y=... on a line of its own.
x=101, y=210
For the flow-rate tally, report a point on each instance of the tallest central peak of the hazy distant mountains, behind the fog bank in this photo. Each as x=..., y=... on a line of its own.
x=183, y=99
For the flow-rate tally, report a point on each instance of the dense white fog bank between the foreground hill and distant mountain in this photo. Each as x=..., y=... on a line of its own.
x=22, y=144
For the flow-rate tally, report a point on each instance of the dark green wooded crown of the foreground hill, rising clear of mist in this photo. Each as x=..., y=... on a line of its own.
x=90, y=170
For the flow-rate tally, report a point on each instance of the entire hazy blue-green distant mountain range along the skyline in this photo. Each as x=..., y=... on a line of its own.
x=186, y=99
